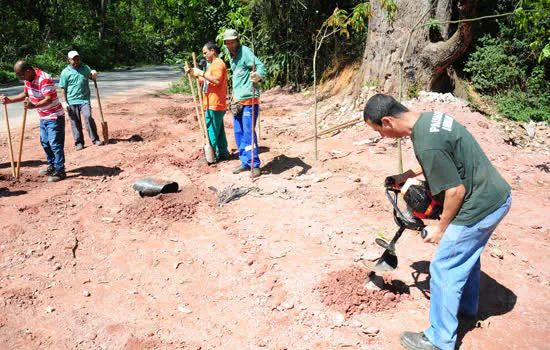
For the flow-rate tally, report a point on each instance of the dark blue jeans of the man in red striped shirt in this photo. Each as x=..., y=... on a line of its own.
x=52, y=138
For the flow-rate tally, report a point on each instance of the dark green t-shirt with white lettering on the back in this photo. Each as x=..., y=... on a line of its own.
x=450, y=156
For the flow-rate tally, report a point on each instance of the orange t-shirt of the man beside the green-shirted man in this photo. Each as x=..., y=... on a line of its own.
x=214, y=97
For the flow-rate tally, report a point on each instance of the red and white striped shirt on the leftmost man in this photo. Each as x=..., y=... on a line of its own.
x=42, y=86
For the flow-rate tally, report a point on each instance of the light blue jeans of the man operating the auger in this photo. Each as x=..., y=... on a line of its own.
x=455, y=276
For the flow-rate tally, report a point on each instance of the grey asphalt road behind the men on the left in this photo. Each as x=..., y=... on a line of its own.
x=110, y=84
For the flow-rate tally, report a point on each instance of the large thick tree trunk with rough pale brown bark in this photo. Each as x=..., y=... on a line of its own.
x=429, y=53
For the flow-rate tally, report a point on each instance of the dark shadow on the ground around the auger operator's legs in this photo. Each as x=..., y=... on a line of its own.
x=494, y=298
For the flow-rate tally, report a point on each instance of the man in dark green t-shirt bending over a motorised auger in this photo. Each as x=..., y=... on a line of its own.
x=476, y=199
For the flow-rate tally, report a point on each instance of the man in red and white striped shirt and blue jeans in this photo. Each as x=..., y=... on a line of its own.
x=40, y=89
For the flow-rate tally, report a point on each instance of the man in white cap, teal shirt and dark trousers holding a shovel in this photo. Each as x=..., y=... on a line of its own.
x=75, y=90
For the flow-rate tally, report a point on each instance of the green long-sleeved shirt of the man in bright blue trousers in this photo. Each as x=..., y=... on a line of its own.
x=241, y=66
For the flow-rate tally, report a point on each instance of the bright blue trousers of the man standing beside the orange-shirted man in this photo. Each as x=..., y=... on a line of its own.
x=243, y=135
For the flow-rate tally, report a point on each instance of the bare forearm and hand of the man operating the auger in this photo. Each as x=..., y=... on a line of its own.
x=453, y=201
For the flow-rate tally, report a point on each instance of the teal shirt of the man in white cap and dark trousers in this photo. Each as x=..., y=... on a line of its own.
x=76, y=83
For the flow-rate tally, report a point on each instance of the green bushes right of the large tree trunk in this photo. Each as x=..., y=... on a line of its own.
x=510, y=64
